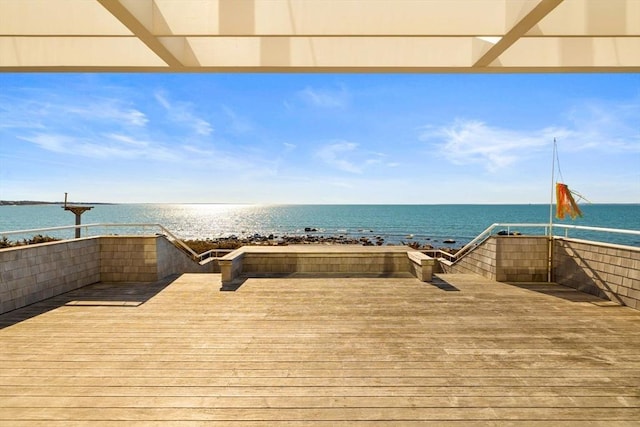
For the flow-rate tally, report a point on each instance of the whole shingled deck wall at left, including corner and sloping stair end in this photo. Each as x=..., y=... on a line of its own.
x=29, y=274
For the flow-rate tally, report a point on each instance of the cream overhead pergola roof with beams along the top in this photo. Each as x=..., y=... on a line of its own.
x=320, y=35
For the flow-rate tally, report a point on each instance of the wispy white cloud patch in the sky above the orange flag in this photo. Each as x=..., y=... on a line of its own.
x=589, y=126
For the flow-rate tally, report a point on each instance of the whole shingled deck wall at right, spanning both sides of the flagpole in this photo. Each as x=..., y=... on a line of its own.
x=607, y=270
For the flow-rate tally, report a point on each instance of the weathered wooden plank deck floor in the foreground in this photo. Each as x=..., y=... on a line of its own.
x=321, y=351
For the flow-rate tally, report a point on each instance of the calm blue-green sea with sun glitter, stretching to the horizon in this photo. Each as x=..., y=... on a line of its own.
x=426, y=223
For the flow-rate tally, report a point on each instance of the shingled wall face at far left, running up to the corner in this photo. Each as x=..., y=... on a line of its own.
x=29, y=274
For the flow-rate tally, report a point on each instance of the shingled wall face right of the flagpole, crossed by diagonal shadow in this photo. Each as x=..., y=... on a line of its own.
x=609, y=271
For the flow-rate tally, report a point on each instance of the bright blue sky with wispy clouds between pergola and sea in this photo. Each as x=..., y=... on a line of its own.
x=318, y=138
